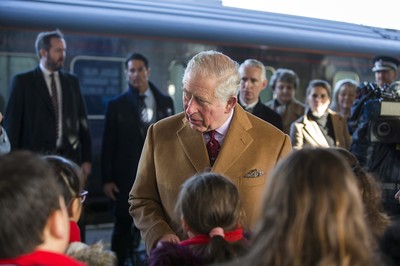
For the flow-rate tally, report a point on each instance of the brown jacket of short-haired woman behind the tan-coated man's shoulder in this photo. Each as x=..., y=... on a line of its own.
x=293, y=111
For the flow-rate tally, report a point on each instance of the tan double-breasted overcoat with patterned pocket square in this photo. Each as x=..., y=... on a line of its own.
x=173, y=152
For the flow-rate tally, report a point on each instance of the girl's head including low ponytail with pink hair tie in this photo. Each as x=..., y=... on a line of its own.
x=209, y=205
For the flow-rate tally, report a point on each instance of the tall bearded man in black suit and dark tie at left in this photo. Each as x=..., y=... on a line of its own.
x=45, y=112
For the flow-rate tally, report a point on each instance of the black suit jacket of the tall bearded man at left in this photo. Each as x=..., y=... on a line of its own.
x=30, y=120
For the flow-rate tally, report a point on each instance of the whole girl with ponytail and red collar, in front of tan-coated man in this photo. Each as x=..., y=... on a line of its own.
x=210, y=212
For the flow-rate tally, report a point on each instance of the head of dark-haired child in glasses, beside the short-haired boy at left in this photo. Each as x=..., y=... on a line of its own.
x=71, y=178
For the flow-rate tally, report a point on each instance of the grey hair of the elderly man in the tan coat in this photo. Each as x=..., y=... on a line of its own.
x=215, y=65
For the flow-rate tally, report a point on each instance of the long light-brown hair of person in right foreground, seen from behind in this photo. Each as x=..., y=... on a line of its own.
x=312, y=215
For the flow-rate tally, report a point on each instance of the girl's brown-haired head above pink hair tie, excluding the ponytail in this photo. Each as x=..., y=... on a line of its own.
x=207, y=201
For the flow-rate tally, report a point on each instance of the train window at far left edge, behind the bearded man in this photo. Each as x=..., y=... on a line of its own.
x=11, y=64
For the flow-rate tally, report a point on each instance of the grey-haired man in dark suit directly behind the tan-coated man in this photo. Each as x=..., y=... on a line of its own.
x=252, y=83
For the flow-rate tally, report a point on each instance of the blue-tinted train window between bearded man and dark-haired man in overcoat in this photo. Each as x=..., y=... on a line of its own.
x=101, y=78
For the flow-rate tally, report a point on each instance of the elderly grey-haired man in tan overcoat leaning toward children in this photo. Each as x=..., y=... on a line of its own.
x=244, y=148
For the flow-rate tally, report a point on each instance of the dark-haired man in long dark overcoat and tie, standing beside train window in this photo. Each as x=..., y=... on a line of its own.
x=127, y=120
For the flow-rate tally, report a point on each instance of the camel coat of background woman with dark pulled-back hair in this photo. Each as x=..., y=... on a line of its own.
x=305, y=132
